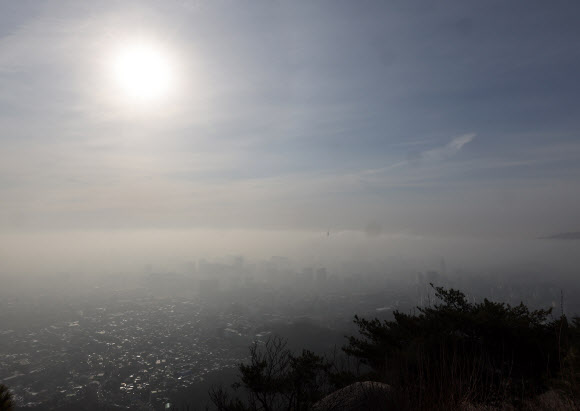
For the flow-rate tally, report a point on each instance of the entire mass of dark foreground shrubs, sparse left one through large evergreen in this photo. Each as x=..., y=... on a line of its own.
x=449, y=354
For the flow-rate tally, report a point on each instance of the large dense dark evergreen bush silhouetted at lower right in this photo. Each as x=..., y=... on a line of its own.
x=486, y=350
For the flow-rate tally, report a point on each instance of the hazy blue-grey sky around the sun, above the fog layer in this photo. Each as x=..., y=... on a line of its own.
x=424, y=118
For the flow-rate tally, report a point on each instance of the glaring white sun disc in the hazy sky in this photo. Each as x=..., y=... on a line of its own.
x=142, y=72
